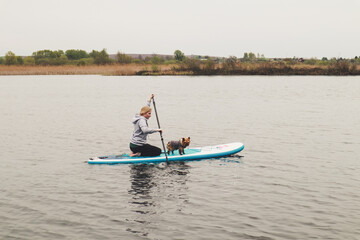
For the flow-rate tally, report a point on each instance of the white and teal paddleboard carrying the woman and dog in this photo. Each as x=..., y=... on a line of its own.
x=191, y=154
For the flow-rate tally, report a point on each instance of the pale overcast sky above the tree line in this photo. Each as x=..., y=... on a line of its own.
x=275, y=28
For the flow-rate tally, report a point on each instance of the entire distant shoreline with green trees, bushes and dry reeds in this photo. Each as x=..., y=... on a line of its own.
x=79, y=62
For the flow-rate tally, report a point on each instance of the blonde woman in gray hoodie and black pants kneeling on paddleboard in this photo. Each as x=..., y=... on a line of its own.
x=138, y=144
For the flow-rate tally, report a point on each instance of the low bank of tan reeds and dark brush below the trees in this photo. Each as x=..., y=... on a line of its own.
x=338, y=69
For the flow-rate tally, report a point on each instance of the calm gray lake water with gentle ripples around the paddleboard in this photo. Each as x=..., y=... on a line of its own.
x=297, y=178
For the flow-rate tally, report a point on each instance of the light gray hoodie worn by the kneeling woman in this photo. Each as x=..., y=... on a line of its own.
x=141, y=129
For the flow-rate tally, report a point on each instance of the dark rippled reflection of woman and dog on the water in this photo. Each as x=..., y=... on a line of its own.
x=153, y=186
